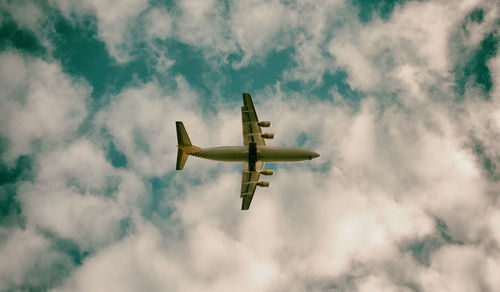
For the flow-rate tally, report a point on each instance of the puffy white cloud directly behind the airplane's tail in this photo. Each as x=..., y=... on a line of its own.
x=142, y=123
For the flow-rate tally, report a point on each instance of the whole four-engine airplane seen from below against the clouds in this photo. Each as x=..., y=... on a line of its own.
x=253, y=154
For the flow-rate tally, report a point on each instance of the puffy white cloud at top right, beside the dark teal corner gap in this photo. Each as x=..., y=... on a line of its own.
x=417, y=35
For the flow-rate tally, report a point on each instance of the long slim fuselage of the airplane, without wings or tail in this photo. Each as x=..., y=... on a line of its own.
x=264, y=153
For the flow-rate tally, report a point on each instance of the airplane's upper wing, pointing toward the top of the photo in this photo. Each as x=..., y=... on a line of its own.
x=251, y=129
